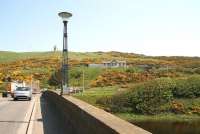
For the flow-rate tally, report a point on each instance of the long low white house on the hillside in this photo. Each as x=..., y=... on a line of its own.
x=110, y=64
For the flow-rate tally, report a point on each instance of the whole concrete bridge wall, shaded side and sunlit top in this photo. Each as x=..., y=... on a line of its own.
x=82, y=118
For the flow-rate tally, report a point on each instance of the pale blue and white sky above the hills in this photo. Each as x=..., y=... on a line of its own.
x=151, y=27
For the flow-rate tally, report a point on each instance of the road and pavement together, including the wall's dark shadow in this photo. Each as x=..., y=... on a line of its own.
x=29, y=117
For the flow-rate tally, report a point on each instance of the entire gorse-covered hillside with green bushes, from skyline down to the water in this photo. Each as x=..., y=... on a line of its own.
x=108, y=85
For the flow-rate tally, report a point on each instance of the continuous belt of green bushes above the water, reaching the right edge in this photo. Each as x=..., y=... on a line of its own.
x=153, y=97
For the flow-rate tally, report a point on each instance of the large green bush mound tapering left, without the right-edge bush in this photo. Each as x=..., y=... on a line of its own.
x=146, y=98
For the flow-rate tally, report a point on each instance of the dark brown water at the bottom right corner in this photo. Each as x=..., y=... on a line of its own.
x=171, y=127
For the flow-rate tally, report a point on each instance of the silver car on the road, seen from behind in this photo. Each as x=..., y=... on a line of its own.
x=23, y=93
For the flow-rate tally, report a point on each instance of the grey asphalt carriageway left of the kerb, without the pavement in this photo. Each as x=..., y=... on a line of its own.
x=15, y=115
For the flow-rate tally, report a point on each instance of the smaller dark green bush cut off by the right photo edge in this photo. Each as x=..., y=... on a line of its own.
x=187, y=88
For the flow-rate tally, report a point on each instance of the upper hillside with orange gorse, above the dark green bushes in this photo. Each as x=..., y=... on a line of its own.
x=41, y=65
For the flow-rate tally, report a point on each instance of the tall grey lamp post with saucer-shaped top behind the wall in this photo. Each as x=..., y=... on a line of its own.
x=65, y=80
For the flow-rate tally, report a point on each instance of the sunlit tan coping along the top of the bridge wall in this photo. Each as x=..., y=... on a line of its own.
x=117, y=124
